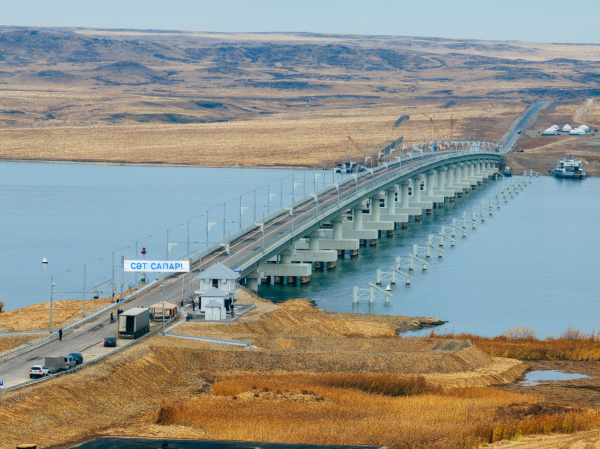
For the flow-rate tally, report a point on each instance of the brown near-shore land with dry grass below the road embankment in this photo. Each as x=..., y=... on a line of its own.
x=317, y=377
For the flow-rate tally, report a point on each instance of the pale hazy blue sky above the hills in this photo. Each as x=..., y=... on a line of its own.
x=530, y=20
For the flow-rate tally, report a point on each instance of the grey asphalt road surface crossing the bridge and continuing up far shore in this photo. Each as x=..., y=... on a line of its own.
x=88, y=339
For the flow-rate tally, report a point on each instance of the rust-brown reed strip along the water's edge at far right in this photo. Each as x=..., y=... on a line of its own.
x=571, y=345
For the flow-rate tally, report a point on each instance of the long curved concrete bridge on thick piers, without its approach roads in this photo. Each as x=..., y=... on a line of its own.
x=313, y=231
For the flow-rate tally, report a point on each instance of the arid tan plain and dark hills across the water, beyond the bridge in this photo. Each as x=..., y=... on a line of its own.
x=270, y=99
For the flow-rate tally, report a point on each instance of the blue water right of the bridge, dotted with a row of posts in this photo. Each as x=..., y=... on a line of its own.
x=534, y=263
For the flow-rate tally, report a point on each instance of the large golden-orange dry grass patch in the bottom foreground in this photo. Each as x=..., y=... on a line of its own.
x=238, y=408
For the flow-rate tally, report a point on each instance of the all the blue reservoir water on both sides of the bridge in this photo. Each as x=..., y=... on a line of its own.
x=533, y=263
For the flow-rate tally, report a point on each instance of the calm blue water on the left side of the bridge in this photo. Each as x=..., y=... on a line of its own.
x=74, y=213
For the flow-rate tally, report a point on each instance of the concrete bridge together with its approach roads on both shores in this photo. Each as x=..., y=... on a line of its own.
x=310, y=233
